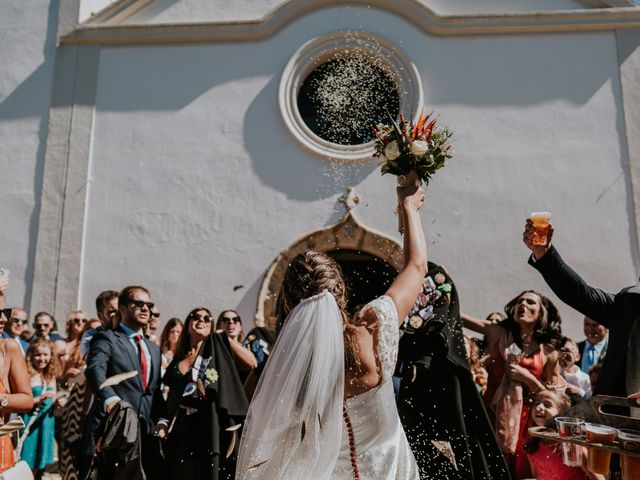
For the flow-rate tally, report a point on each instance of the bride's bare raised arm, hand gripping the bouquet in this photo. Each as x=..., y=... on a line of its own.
x=405, y=288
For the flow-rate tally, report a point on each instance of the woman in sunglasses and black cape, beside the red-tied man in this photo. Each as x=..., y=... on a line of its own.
x=198, y=442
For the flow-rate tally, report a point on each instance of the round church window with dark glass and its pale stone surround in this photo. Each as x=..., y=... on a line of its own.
x=337, y=87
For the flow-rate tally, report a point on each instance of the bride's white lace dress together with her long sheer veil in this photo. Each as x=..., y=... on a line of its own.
x=298, y=422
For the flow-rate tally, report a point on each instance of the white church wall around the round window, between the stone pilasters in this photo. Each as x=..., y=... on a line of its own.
x=195, y=186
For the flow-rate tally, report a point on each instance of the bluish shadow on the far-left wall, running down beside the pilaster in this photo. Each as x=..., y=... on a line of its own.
x=32, y=98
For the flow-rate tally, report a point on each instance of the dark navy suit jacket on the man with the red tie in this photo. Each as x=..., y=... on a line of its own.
x=112, y=353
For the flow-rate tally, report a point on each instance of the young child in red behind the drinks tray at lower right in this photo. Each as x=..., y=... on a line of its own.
x=546, y=458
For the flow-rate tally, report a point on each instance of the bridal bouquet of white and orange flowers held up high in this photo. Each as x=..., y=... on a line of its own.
x=421, y=147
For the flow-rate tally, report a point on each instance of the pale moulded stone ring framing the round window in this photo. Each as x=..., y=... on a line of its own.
x=318, y=51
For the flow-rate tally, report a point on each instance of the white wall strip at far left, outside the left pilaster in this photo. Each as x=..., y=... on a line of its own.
x=28, y=39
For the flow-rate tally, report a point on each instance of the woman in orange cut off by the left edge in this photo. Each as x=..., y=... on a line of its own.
x=15, y=384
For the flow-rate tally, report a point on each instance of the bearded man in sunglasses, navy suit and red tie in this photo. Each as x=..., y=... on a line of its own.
x=125, y=349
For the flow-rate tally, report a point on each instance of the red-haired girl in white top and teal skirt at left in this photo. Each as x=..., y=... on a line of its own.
x=37, y=439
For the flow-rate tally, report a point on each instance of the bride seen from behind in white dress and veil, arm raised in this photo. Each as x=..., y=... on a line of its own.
x=324, y=407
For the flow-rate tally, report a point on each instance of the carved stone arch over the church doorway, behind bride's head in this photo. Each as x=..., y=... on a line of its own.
x=348, y=233
